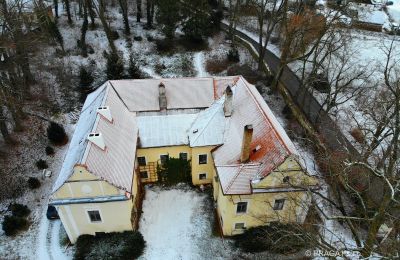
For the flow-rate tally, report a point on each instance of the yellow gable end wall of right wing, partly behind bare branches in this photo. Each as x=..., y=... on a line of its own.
x=260, y=205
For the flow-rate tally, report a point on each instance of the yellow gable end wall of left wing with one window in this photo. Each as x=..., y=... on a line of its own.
x=83, y=184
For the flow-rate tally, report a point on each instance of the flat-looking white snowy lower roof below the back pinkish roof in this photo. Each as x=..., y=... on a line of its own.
x=164, y=130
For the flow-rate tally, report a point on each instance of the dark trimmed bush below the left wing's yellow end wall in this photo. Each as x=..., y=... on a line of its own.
x=126, y=245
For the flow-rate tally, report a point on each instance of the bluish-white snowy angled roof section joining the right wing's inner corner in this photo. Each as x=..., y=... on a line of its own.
x=209, y=126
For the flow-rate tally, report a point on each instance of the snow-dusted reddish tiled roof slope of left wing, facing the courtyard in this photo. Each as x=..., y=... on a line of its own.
x=115, y=164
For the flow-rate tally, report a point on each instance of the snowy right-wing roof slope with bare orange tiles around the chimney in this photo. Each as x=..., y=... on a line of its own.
x=249, y=108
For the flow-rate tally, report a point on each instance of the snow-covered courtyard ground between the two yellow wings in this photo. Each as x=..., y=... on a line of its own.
x=177, y=223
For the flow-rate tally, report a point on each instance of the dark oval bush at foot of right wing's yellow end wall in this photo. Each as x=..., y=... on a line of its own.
x=276, y=238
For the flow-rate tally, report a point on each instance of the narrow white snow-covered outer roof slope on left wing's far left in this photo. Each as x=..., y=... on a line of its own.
x=79, y=141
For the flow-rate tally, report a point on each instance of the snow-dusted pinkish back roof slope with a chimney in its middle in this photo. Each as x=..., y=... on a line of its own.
x=183, y=93
